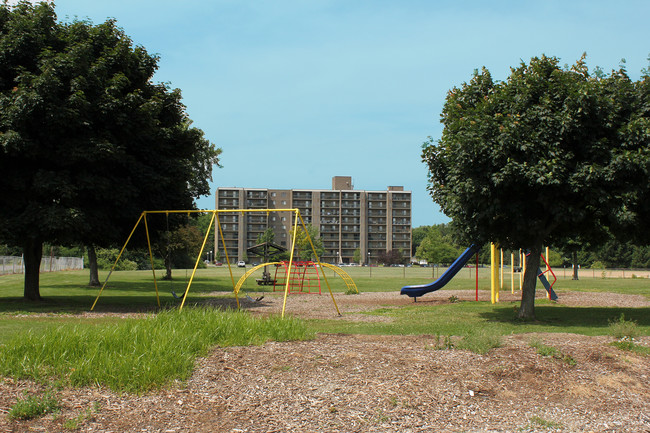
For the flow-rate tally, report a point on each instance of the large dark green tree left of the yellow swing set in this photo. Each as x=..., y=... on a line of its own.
x=87, y=139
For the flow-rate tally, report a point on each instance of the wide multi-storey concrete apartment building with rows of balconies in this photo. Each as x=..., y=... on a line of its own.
x=347, y=219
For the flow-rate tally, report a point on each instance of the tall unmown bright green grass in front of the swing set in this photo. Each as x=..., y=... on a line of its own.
x=136, y=355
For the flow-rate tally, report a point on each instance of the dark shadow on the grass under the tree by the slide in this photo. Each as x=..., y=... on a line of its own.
x=571, y=316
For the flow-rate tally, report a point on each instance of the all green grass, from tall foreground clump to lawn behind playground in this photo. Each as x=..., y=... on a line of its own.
x=135, y=355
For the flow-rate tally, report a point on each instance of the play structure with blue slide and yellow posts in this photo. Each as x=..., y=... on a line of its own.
x=496, y=275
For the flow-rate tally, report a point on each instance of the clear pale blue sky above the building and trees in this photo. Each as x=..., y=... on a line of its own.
x=296, y=92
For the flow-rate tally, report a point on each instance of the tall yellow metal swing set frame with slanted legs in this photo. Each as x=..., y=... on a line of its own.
x=298, y=221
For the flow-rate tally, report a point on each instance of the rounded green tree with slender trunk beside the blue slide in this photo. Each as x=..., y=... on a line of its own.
x=528, y=162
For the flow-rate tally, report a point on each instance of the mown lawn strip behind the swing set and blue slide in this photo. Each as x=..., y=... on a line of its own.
x=68, y=291
